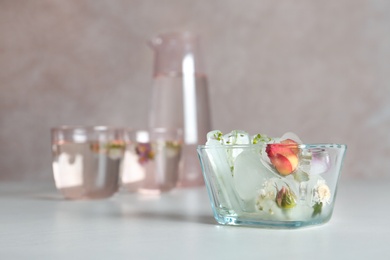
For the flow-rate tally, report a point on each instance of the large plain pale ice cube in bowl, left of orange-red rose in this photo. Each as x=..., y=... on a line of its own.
x=249, y=174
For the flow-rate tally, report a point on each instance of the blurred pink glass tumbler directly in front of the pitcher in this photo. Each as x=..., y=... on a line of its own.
x=151, y=161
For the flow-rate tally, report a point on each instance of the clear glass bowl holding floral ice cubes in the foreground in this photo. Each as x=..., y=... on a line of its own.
x=247, y=187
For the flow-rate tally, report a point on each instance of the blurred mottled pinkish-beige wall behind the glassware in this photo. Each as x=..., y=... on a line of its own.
x=317, y=68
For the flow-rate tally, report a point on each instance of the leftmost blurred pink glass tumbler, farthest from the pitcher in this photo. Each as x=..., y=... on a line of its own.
x=86, y=160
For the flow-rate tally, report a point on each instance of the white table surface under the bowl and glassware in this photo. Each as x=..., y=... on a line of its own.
x=36, y=223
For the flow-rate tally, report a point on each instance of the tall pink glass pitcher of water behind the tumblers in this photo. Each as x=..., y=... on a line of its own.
x=180, y=97
